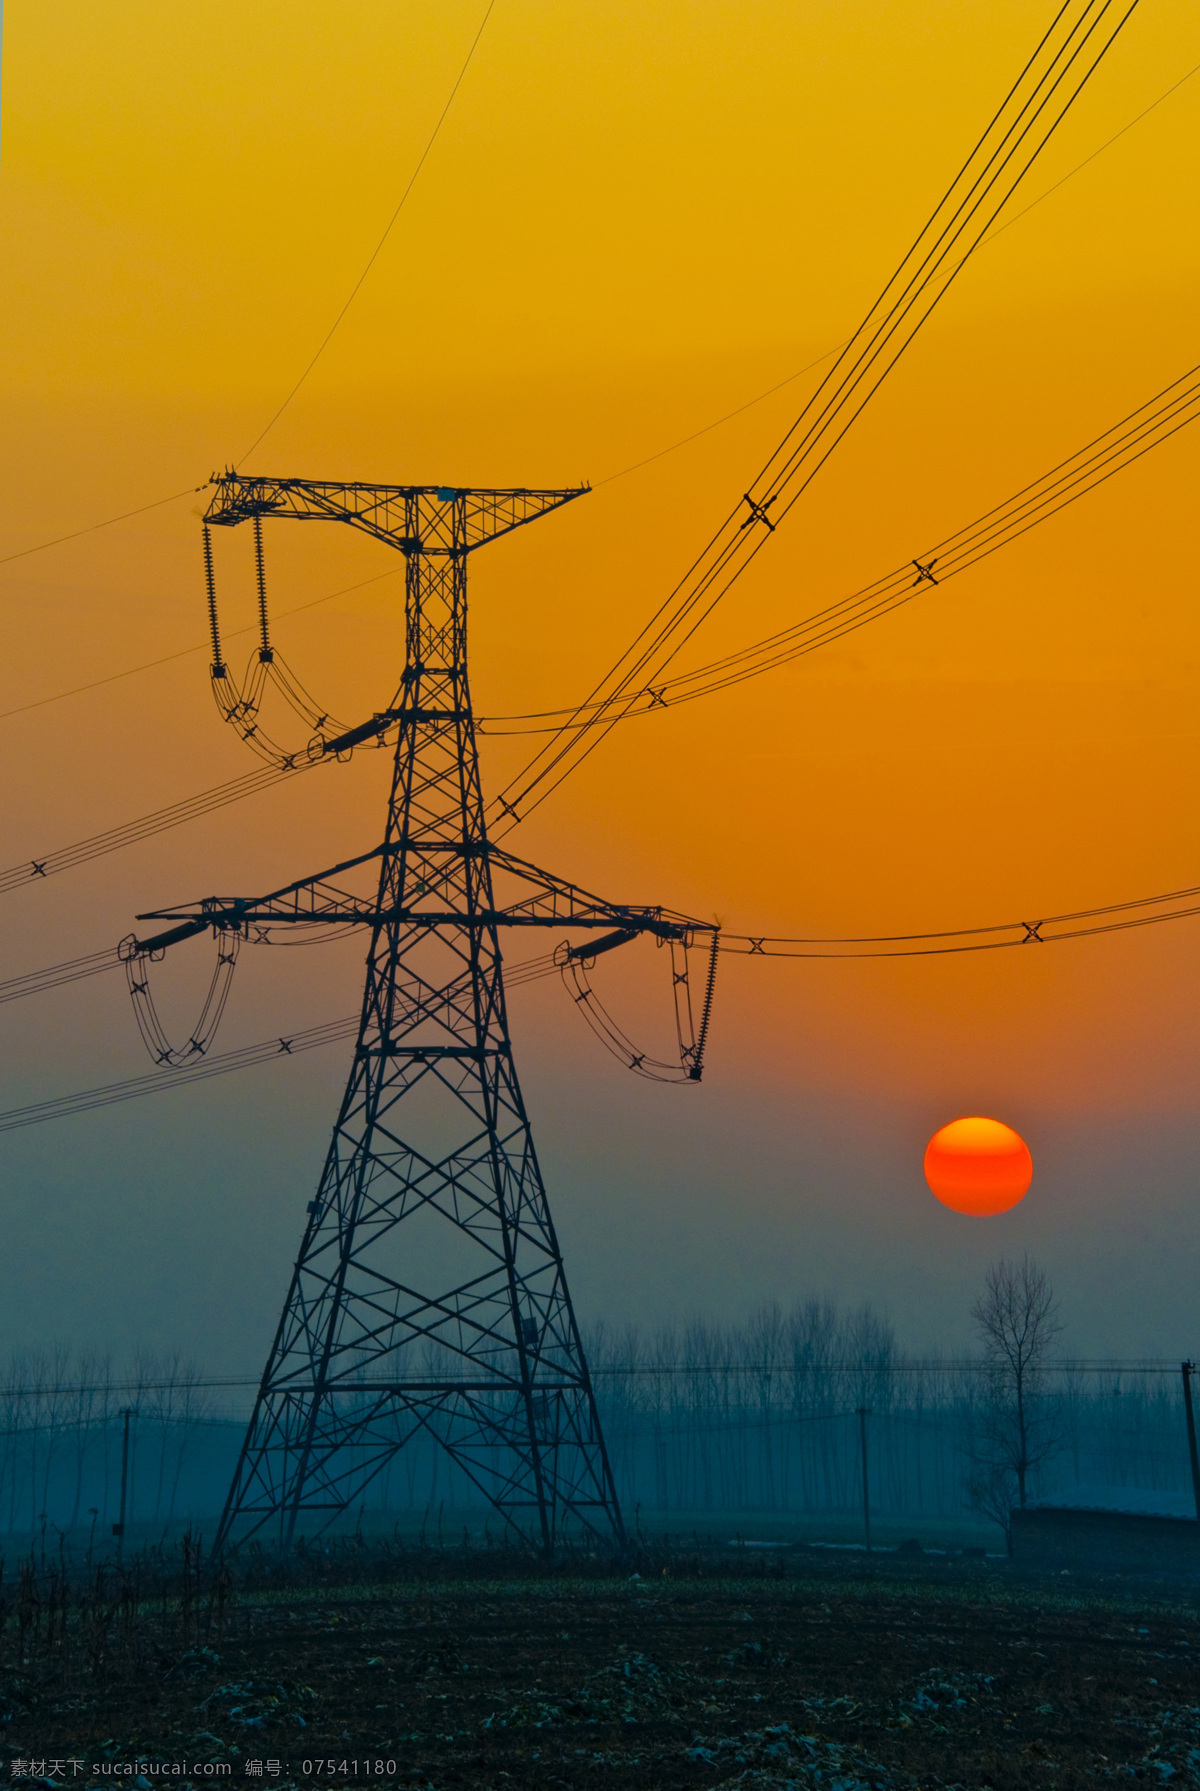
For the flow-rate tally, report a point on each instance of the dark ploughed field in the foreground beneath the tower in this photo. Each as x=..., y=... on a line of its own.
x=818, y=1672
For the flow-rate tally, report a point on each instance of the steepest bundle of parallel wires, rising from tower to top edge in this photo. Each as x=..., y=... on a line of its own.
x=990, y=176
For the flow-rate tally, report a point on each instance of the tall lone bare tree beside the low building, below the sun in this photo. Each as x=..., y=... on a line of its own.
x=1016, y=1430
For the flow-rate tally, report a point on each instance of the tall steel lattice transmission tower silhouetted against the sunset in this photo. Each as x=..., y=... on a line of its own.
x=429, y=1294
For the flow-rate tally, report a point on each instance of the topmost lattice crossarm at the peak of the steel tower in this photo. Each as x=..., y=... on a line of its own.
x=415, y=518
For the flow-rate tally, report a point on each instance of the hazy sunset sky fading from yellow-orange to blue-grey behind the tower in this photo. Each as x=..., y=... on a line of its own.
x=633, y=221
